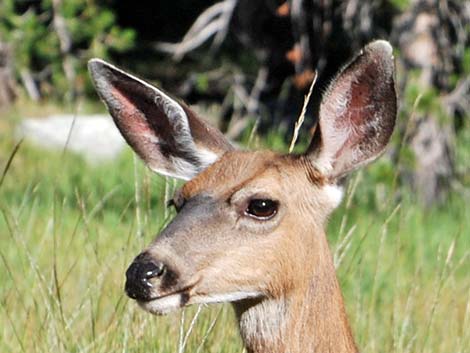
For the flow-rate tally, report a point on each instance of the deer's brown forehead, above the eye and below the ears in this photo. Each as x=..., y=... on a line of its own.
x=264, y=173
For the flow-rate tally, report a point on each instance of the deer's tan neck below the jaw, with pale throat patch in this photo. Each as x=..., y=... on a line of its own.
x=309, y=319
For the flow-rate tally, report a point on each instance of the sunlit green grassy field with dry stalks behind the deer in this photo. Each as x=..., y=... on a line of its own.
x=69, y=230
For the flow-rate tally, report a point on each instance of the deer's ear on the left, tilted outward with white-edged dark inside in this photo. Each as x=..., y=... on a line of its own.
x=167, y=135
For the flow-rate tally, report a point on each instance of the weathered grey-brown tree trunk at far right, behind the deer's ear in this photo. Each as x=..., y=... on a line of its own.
x=430, y=40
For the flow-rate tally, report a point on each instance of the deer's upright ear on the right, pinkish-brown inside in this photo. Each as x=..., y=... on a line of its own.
x=357, y=113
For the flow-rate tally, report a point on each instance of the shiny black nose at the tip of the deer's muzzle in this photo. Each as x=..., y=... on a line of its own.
x=138, y=275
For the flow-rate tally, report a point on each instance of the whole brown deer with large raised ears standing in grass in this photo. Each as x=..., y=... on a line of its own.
x=250, y=225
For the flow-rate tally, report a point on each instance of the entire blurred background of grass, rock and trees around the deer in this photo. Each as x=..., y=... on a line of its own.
x=76, y=206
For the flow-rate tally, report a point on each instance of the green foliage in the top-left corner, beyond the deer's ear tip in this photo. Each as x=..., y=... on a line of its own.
x=36, y=46
